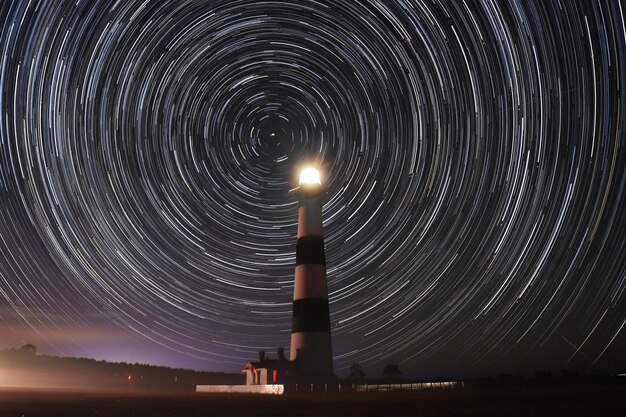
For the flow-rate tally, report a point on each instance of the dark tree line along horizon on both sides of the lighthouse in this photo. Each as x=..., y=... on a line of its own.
x=40, y=370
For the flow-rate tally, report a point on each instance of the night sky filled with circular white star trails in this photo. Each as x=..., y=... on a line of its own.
x=473, y=152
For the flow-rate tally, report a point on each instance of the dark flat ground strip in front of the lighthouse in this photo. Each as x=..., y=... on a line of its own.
x=570, y=401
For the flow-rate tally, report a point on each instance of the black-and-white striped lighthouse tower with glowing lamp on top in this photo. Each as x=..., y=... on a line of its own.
x=311, y=347
